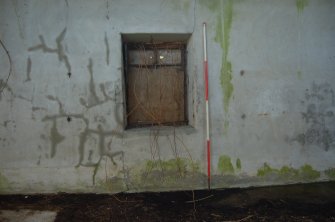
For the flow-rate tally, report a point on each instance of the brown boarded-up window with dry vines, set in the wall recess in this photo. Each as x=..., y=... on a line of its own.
x=155, y=80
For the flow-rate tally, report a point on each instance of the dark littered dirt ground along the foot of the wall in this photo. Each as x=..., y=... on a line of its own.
x=312, y=202
